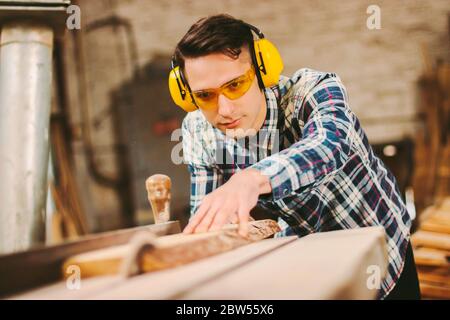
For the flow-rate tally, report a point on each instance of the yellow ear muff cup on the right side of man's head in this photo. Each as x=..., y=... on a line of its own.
x=272, y=61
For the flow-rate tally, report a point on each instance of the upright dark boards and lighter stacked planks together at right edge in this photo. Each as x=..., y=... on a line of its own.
x=431, y=182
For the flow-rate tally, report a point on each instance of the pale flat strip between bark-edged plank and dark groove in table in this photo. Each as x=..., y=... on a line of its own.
x=165, y=284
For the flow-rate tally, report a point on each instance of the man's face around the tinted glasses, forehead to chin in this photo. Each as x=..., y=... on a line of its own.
x=239, y=117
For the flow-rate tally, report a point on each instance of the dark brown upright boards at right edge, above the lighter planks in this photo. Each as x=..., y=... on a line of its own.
x=431, y=181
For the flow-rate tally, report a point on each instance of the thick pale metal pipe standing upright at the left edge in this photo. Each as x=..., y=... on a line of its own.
x=25, y=97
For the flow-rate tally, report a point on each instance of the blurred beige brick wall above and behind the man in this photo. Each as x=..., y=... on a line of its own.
x=379, y=67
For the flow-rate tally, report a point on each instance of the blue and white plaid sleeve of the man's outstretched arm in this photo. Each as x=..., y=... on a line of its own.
x=324, y=146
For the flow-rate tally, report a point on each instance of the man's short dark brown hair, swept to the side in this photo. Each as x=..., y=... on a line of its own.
x=220, y=33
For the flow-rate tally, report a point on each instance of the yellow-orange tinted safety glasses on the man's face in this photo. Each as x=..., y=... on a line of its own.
x=233, y=89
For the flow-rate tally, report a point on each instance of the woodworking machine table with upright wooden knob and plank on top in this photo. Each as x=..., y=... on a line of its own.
x=159, y=262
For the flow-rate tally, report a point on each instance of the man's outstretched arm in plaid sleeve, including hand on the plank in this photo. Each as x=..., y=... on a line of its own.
x=324, y=148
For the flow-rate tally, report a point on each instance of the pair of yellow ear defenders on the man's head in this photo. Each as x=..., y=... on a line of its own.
x=266, y=60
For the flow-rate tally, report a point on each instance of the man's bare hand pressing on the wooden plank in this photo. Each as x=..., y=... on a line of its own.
x=236, y=197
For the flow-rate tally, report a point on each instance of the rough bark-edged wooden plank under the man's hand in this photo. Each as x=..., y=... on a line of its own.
x=171, y=251
